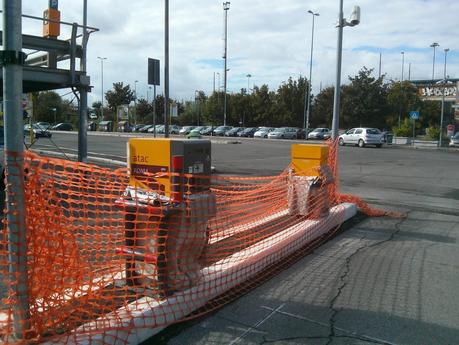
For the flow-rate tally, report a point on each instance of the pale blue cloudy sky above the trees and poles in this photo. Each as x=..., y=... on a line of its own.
x=269, y=39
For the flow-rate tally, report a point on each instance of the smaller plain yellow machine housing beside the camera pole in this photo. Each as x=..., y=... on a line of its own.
x=306, y=159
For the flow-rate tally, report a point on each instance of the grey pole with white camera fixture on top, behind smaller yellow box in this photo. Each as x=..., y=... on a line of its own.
x=355, y=20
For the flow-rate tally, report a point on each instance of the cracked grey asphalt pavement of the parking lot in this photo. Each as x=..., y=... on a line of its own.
x=380, y=281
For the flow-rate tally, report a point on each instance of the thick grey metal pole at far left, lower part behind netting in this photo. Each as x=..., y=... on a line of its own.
x=14, y=161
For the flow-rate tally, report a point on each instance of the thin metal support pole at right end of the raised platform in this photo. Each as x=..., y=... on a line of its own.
x=83, y=118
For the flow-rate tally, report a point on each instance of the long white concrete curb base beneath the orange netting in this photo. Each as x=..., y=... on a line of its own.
x=144, y=318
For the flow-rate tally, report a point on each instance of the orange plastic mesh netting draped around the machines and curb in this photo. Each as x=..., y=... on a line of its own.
x=104, y=259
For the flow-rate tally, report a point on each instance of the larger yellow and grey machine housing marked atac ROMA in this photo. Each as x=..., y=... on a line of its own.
x=149, y=157
